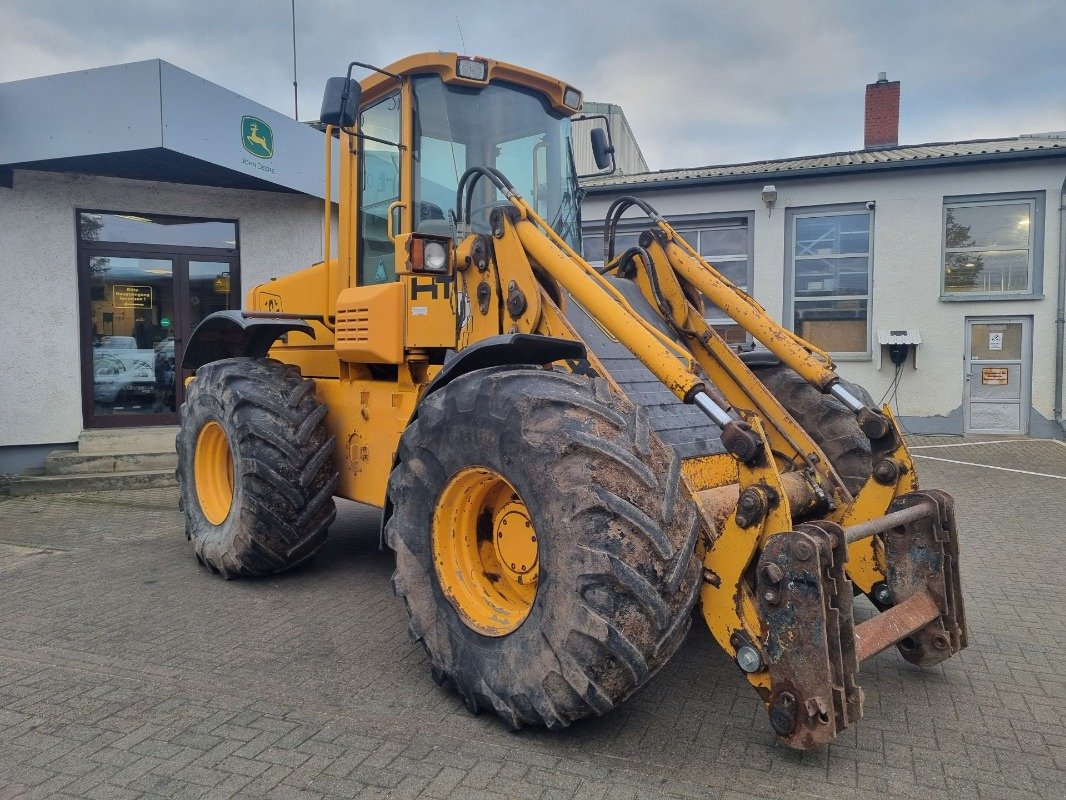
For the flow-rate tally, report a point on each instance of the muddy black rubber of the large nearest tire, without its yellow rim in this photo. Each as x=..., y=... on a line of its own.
x=637, y=554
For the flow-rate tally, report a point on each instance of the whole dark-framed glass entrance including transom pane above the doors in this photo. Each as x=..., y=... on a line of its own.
x=147, y=282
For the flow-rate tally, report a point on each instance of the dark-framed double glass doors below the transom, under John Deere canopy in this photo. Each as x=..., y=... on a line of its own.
x=142, y=310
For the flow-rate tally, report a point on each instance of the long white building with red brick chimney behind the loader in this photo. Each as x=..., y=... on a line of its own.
x=957, y=248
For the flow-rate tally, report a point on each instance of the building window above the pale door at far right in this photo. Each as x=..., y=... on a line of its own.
x=991, y=247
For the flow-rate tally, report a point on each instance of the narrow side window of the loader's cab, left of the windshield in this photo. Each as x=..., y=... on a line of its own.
x=380, y=188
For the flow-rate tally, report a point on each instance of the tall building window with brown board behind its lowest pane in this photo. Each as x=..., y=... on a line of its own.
x=831, y=280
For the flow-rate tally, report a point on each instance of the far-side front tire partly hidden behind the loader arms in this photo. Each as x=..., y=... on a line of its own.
x=827, y=421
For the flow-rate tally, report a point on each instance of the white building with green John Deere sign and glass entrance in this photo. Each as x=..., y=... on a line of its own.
x=135, y=200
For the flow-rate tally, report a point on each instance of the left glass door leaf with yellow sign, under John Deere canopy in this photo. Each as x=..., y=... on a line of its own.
x=132, y=324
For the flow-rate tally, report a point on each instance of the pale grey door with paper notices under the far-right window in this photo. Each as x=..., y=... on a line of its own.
x=997, y=376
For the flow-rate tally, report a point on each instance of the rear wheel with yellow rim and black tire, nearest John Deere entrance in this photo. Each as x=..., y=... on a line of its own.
x=279, y=505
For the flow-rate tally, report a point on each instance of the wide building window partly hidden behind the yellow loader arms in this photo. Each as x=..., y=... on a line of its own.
x=724, y=243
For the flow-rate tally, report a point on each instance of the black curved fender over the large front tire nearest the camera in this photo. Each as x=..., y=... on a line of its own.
x=496, y=351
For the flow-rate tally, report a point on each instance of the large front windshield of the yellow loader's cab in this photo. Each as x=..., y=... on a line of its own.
x=505, y=126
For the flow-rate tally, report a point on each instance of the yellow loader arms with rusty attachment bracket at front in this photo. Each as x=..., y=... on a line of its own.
x=784, y=541
